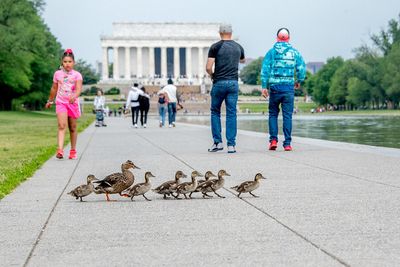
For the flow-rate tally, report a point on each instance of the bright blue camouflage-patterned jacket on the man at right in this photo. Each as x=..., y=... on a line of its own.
x=281, y=66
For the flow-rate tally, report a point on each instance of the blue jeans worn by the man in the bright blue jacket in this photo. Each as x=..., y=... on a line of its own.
x=286, y=100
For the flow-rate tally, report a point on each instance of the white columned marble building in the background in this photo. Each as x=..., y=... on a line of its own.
x=152, y=52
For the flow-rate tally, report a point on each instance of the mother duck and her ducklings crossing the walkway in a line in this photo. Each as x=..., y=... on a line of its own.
x=123, y=183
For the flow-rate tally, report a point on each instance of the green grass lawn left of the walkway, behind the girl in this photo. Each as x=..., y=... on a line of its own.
x=27, y=140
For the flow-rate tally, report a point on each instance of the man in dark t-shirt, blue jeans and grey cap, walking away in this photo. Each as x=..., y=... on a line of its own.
x=225, y=56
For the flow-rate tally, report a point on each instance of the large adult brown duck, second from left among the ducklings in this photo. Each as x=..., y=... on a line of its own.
x=117, y=182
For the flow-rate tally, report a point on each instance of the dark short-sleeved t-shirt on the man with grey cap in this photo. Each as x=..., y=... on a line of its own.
x=227, y=54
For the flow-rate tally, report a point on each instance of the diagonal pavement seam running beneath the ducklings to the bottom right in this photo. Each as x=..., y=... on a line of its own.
x=259, y=209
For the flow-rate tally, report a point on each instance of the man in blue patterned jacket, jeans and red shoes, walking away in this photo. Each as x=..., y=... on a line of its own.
x=282, y=71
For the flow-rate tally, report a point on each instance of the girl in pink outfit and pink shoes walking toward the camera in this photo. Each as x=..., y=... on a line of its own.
x=67, y=86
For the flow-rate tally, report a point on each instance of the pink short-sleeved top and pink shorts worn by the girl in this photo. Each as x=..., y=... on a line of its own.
x=66, y=88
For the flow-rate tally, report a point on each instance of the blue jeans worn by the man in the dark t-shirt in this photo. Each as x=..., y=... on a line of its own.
x=228, y=91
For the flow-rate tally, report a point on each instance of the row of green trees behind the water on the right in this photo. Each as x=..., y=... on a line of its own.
x=371, y=80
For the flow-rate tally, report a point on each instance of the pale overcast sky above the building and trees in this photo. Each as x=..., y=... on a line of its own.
x=319, y=28
